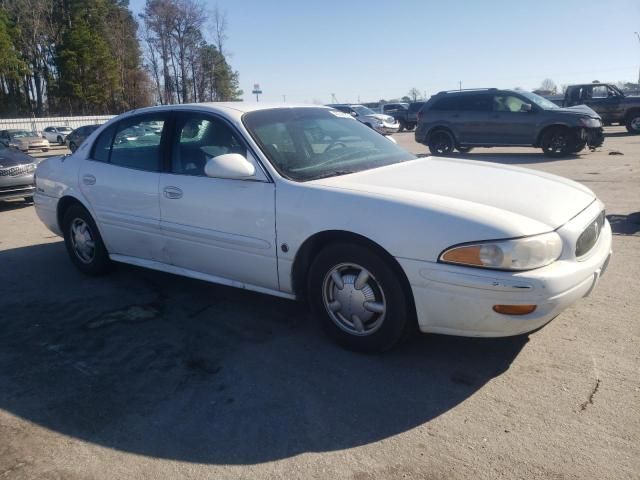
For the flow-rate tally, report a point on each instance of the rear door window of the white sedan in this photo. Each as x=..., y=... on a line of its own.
x=136, y=143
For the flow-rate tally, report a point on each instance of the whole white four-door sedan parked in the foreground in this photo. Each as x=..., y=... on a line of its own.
x=306, y=202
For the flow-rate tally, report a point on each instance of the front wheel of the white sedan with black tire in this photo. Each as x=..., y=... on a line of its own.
x=386, y=328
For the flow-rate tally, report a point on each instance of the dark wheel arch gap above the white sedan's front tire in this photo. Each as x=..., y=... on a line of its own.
x=315, y=243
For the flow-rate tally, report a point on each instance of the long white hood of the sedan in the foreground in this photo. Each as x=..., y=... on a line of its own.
x=534, y=201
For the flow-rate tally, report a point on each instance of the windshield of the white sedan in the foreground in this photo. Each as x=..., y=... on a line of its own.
x=309, y=143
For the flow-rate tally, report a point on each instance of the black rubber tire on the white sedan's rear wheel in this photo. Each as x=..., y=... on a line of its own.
x=98, y=262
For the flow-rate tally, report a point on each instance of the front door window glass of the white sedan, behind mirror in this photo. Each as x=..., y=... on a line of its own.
x=199, y=137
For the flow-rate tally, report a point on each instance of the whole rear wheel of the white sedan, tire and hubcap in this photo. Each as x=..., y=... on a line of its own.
x=84, y=243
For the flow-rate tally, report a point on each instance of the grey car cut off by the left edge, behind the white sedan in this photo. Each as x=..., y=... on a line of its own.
x=16, y=174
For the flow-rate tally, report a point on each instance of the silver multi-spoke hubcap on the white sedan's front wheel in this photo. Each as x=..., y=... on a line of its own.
x=353, y=299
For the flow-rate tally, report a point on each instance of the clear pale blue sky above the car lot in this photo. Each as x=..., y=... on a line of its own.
x=370, y=49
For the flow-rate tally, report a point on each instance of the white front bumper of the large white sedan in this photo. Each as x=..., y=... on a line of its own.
x=459, y=300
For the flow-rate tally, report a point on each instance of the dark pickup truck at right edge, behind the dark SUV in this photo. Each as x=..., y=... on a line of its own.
x=607, y=100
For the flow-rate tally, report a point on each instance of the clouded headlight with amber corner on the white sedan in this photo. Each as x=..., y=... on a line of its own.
x=525, y=253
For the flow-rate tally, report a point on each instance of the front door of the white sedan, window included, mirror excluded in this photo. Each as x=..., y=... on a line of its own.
x=216, y=226
